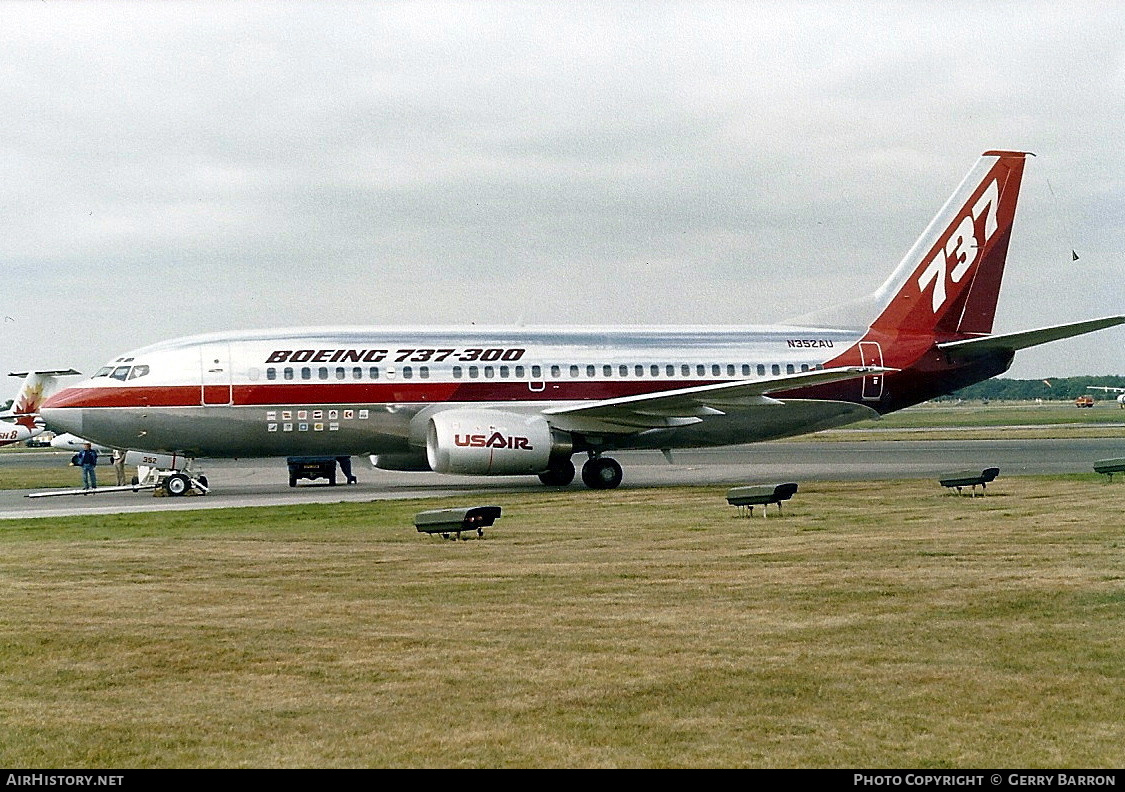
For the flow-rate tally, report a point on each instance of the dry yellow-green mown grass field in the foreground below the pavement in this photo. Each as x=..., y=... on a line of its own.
x=888, y=625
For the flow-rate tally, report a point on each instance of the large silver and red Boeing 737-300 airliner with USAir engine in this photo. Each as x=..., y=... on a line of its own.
x=519, y=401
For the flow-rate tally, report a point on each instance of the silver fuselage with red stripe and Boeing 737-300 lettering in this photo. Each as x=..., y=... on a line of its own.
x=358, y=390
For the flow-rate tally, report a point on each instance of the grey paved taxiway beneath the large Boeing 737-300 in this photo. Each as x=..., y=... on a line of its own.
x=265, y=483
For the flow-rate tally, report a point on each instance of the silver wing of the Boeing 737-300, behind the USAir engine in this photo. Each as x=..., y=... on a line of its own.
x=687, y=407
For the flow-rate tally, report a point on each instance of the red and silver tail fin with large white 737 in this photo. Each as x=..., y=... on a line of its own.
x=948, y=285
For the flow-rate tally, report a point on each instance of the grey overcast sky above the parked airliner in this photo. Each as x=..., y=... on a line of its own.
x=176, y=168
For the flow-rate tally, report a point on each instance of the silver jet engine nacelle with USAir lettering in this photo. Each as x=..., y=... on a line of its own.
x=490, y=443
